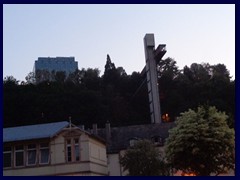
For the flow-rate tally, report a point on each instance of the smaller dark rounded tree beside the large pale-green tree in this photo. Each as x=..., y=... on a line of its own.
x=143, y=159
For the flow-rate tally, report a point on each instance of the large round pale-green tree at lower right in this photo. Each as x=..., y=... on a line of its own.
x=201, y=143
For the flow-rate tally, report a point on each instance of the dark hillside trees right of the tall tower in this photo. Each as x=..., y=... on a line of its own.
x=196, y=85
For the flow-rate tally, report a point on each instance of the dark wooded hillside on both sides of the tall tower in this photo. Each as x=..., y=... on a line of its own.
x=115, y=97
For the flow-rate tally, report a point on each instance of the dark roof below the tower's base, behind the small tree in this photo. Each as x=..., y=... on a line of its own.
x=120, y=136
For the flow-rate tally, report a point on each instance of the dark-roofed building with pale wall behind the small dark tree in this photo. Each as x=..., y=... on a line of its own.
x=119, y=139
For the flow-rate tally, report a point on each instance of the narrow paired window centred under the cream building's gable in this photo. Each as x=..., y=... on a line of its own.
x=73, y=150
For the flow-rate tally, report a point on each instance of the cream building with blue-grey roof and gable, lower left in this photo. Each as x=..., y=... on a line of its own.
x=52, y=149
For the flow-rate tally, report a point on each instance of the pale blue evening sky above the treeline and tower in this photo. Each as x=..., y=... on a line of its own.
x=192, y=34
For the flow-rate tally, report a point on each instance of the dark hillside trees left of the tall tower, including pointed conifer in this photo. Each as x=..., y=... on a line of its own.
x=83, y=95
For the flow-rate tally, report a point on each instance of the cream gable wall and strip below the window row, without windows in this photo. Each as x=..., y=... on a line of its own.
x=93, y=160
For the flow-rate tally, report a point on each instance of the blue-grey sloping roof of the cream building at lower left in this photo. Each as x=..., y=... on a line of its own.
x=37, y=131
